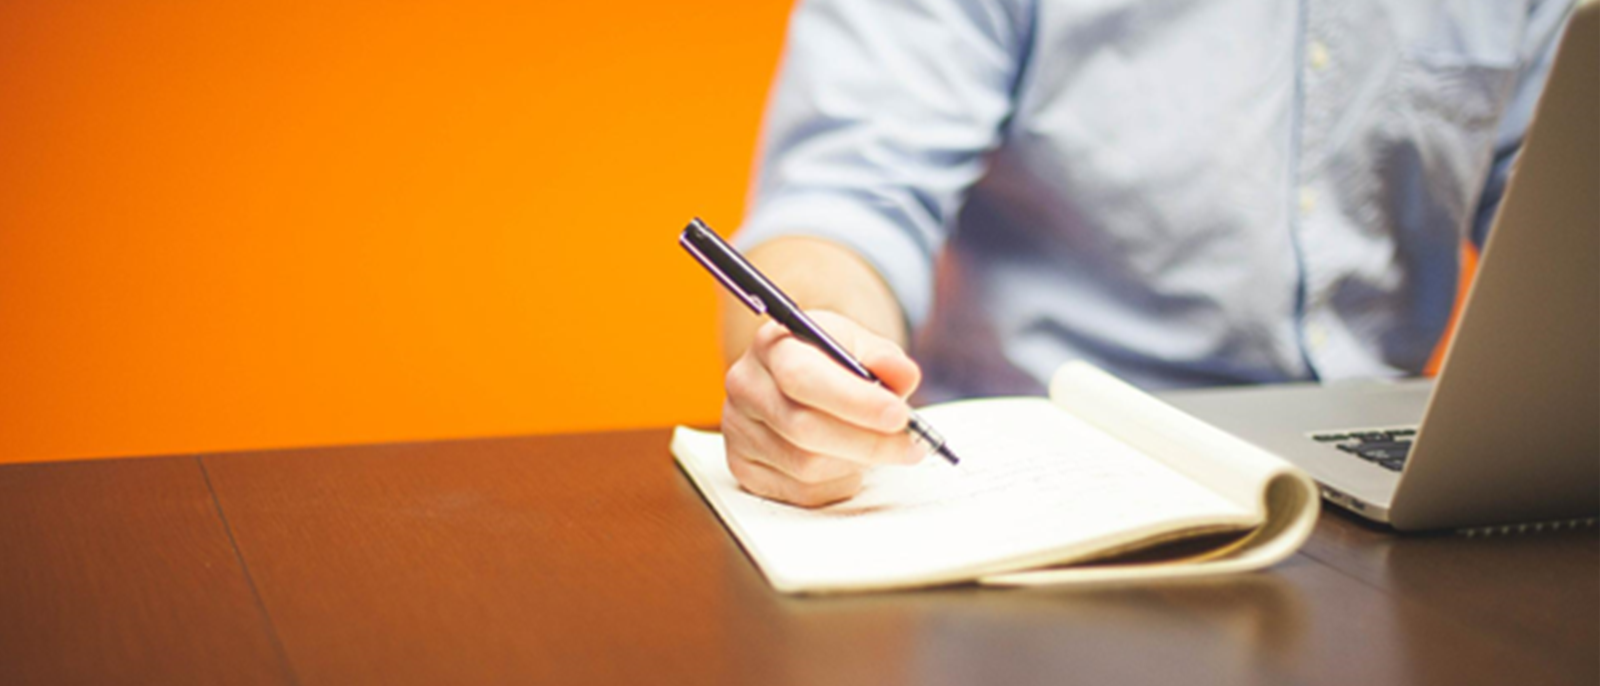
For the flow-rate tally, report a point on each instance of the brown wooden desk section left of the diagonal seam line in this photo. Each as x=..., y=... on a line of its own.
x=122, y=572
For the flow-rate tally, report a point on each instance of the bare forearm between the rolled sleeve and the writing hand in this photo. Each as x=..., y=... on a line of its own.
x=820, y=276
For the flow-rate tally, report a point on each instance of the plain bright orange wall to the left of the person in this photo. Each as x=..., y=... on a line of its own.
x=246, y=225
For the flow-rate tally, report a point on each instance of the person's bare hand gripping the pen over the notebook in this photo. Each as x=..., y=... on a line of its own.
x=802, y=429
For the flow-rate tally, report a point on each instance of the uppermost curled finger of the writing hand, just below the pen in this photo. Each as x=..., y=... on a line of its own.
x=810, y=378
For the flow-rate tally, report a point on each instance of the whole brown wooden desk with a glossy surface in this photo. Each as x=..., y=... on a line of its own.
x=590, y=559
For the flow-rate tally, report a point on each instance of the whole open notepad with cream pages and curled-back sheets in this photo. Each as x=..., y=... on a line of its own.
x=1098, y=484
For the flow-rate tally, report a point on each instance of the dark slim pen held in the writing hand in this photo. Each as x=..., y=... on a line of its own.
x=753, y=289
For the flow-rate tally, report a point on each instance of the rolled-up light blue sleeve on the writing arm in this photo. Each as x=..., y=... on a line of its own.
x=879, y=124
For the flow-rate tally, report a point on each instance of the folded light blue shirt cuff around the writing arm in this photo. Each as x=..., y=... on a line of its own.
x=894, y=250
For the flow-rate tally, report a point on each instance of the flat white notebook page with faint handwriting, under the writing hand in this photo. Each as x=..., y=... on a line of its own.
x=1034, y=485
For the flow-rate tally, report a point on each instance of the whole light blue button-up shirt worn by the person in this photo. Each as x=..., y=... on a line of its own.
x=1182, y=193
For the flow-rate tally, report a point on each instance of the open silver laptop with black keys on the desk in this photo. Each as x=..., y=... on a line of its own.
x=1510, y=433
